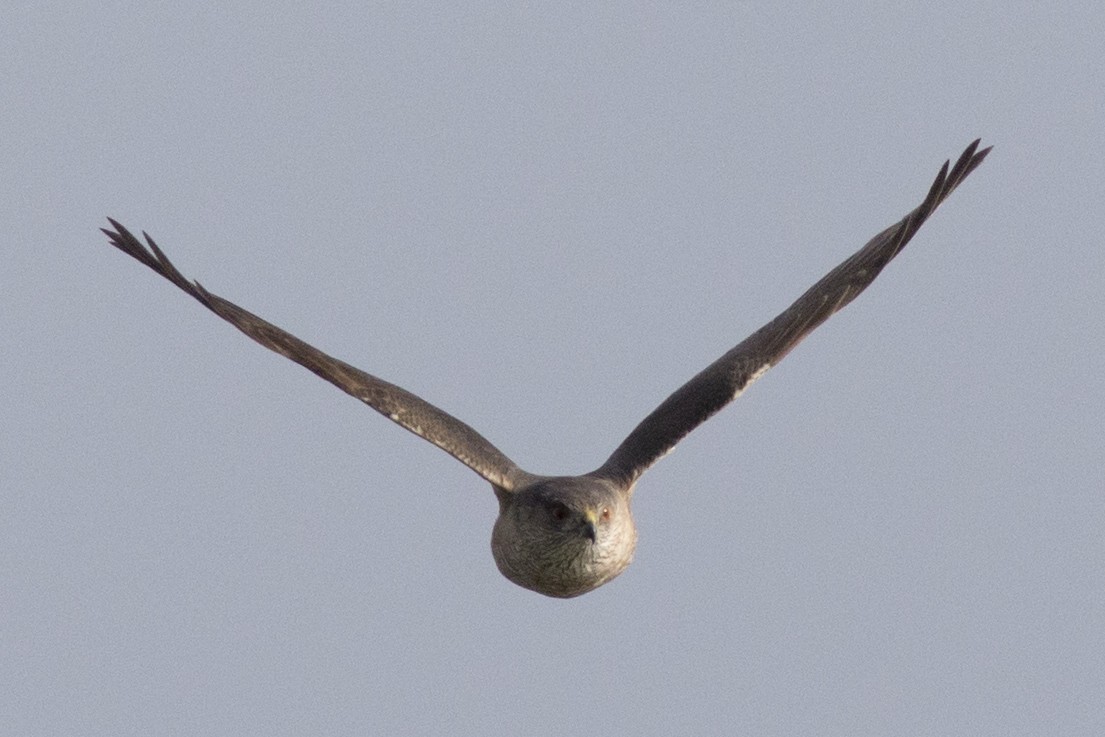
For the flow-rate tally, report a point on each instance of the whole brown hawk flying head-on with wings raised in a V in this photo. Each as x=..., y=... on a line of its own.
x=564, y=536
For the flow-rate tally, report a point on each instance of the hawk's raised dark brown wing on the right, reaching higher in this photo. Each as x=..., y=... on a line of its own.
x=727, y=378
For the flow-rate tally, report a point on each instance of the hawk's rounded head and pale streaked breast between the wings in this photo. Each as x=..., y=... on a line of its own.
x=564, y=536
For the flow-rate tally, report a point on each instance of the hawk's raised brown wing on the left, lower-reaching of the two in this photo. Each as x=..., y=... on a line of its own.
x=398, y=405
